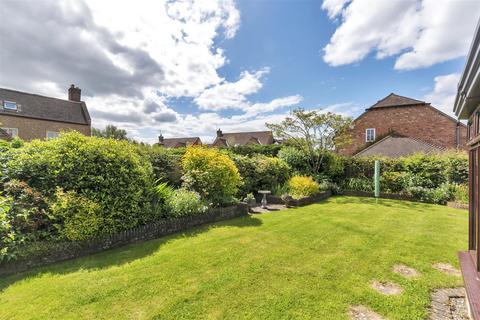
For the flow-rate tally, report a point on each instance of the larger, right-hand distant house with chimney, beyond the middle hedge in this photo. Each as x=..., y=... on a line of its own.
x=243, y=138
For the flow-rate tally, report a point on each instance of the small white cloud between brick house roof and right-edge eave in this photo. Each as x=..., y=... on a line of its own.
x=443, y=94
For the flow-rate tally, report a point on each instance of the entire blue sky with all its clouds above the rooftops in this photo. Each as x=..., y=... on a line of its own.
x=187, y=68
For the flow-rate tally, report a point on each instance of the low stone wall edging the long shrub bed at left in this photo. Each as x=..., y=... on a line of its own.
x=59, y=251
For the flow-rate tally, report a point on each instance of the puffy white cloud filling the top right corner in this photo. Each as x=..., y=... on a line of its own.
x=421, y=32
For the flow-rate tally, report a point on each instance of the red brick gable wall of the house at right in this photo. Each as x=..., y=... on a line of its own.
x=421, y=122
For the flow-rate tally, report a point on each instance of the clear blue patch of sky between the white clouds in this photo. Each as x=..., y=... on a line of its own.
x=289, y=37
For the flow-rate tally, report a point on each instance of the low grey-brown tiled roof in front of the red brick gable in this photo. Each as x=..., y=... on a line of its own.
x=395, y=147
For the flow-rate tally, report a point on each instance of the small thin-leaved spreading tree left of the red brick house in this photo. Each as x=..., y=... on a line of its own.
x=315, y=133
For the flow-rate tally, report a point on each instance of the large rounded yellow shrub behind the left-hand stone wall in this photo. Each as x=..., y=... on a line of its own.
x=210, y=173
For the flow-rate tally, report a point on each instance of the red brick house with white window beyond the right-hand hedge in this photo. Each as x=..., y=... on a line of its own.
x=413, y=125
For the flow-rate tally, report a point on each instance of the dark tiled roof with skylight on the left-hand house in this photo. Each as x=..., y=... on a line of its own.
x=45, y=108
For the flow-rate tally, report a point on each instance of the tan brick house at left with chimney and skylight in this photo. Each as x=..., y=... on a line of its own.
x=32, y=116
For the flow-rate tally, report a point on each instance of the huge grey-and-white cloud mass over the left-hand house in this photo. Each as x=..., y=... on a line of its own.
x=131, y=58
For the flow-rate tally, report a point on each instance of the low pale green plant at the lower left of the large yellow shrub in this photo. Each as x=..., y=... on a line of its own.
x=183, y=202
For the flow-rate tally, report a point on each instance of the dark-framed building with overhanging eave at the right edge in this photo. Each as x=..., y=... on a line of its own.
x=467, y=106
